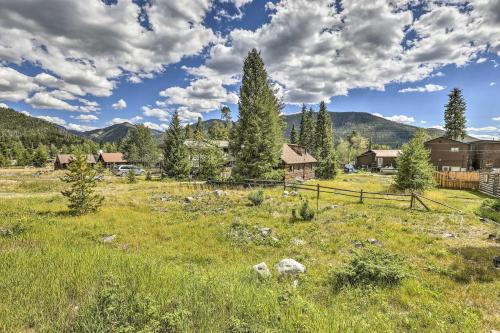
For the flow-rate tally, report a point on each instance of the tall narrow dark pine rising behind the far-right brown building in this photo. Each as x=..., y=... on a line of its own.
x=454, y=116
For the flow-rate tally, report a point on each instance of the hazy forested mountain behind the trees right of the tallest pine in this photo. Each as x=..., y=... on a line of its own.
x=379, y=130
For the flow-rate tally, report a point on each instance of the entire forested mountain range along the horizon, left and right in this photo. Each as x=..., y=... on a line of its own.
x=379, y=130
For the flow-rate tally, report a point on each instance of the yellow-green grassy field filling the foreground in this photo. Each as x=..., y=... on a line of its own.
x=187, y=267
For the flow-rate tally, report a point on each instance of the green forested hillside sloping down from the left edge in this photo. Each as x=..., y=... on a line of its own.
x=32, y=131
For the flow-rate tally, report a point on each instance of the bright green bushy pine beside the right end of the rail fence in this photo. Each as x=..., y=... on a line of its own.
x=415, y=171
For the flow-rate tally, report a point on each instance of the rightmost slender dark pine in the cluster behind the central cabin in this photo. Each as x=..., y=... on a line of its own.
x=324, y=147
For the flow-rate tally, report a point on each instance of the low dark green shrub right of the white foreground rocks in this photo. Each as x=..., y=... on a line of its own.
x=370, y=266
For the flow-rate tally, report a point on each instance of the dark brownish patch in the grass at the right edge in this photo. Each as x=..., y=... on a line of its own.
x=475, y=264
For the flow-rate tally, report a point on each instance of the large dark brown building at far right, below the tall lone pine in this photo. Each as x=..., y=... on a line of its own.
x=464, y=155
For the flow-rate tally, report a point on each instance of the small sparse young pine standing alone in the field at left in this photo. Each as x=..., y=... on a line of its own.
x=83, y=180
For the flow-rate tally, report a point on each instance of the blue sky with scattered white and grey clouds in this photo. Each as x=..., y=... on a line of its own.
x=89, y=64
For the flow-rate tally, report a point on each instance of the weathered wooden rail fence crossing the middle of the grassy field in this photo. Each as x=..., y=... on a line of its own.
x=411, y=199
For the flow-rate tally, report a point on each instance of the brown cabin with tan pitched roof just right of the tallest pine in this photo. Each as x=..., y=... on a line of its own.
x=297, y=163
